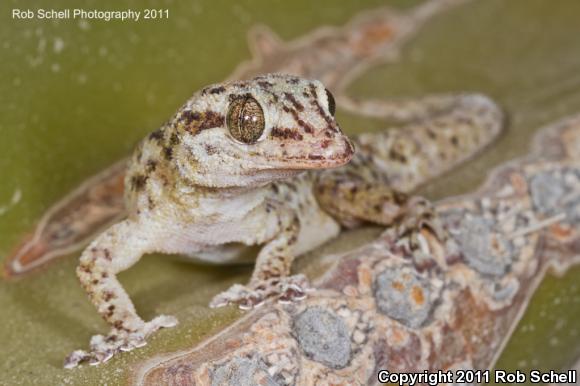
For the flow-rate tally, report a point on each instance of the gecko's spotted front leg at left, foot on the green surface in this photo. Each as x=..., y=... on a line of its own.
x=116, y=250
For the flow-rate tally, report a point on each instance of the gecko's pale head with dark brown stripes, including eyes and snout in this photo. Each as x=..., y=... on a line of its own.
x=252, y=132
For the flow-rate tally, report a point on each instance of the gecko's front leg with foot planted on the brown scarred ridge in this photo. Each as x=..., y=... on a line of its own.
x=271, y=276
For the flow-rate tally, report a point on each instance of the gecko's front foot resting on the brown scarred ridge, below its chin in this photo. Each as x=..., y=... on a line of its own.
x=285, y=289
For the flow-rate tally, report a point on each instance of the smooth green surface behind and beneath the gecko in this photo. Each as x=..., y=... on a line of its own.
x=75, y=97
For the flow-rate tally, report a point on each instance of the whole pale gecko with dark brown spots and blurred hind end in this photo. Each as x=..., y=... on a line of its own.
x=264, y=162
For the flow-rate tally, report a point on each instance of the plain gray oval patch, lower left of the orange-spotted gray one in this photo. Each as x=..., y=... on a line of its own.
x=323, y=336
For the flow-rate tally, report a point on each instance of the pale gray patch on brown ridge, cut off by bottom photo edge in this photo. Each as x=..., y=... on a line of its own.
x=242, y=371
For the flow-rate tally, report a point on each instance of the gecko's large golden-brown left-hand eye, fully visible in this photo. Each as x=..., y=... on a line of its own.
x=245, y=119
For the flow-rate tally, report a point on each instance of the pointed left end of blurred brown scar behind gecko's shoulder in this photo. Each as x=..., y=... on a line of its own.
x=72, y=222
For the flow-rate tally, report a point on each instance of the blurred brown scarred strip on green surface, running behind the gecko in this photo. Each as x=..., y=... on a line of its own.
x=334, y=55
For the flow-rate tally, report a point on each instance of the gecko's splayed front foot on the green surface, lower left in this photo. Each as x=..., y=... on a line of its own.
x=104, y=347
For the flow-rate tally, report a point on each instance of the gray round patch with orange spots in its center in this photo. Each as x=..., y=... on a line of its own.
x=403, y=295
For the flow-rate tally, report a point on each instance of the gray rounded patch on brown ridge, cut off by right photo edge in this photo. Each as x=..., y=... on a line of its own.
x=557, y=192
